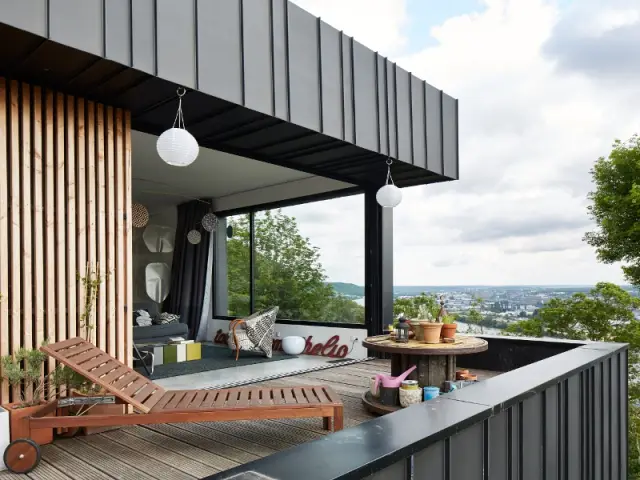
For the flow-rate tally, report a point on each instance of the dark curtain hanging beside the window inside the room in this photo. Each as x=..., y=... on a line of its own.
x=189, y=268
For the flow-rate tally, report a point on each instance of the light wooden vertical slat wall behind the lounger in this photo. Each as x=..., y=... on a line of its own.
x=65, y=200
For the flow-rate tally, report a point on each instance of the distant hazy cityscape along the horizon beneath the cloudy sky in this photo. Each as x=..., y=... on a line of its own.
x=500, y=305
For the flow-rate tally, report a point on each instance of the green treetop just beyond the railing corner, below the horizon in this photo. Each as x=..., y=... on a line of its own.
x=605, y=314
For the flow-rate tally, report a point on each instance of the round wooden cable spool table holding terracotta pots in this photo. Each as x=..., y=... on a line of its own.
x=435, y=363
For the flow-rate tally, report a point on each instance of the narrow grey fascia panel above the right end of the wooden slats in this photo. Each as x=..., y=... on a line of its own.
x=118, y=30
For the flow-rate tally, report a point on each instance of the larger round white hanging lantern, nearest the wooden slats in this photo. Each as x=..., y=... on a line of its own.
x=176, y=146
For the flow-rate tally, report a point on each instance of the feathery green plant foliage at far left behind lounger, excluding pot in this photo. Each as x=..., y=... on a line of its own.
x=24, y=370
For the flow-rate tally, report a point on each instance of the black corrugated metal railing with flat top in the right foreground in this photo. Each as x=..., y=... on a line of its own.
x=563, y=417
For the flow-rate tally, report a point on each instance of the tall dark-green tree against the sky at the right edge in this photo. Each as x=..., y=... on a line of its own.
x=616, y=207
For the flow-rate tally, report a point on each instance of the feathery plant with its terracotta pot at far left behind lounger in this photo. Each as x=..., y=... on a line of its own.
x=23, y=371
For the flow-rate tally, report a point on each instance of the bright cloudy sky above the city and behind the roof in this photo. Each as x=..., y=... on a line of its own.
x=544, y=89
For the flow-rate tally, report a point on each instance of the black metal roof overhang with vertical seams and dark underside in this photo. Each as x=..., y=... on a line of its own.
x=265, y=80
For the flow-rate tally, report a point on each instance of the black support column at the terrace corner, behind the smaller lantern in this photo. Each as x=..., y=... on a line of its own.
x=378, y=226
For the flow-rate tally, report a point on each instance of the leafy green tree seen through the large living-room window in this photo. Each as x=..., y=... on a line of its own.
x=288, y=273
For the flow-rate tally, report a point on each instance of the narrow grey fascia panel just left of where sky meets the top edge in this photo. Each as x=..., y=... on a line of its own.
x=280, y=59
